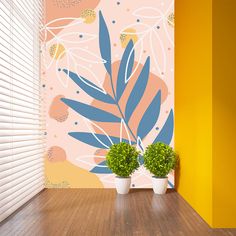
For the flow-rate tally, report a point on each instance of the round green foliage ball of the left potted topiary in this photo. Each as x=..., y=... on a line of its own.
x=122, y=159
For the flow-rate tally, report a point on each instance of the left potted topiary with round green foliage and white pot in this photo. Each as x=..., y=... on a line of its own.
x=122, y=159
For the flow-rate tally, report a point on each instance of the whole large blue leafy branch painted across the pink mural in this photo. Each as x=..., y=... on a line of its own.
x=101, y=139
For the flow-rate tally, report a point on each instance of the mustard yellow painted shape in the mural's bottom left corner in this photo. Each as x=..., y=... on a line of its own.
x=66, y=175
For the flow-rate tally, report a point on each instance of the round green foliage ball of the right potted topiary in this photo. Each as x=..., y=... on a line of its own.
x=160, y=159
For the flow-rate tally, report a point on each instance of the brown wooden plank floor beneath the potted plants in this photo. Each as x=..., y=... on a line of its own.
x=102, y=212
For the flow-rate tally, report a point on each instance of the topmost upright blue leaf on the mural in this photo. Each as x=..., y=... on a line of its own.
x=104, y=43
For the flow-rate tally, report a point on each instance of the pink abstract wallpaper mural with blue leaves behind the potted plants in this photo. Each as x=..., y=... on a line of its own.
x=108, y=77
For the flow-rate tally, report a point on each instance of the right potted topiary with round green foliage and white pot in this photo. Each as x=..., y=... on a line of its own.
x=160, y=159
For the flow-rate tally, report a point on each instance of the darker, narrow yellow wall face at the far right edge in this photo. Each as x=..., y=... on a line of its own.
x=224, y=113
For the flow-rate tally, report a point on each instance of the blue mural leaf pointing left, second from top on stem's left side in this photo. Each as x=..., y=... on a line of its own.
x=91, y=112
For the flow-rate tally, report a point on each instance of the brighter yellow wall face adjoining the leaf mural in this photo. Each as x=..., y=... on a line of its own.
x=193, y=103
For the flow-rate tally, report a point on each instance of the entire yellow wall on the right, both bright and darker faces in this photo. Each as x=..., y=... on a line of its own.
x=205, y=108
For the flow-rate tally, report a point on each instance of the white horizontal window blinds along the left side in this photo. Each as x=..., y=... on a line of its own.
x=22, y=119
